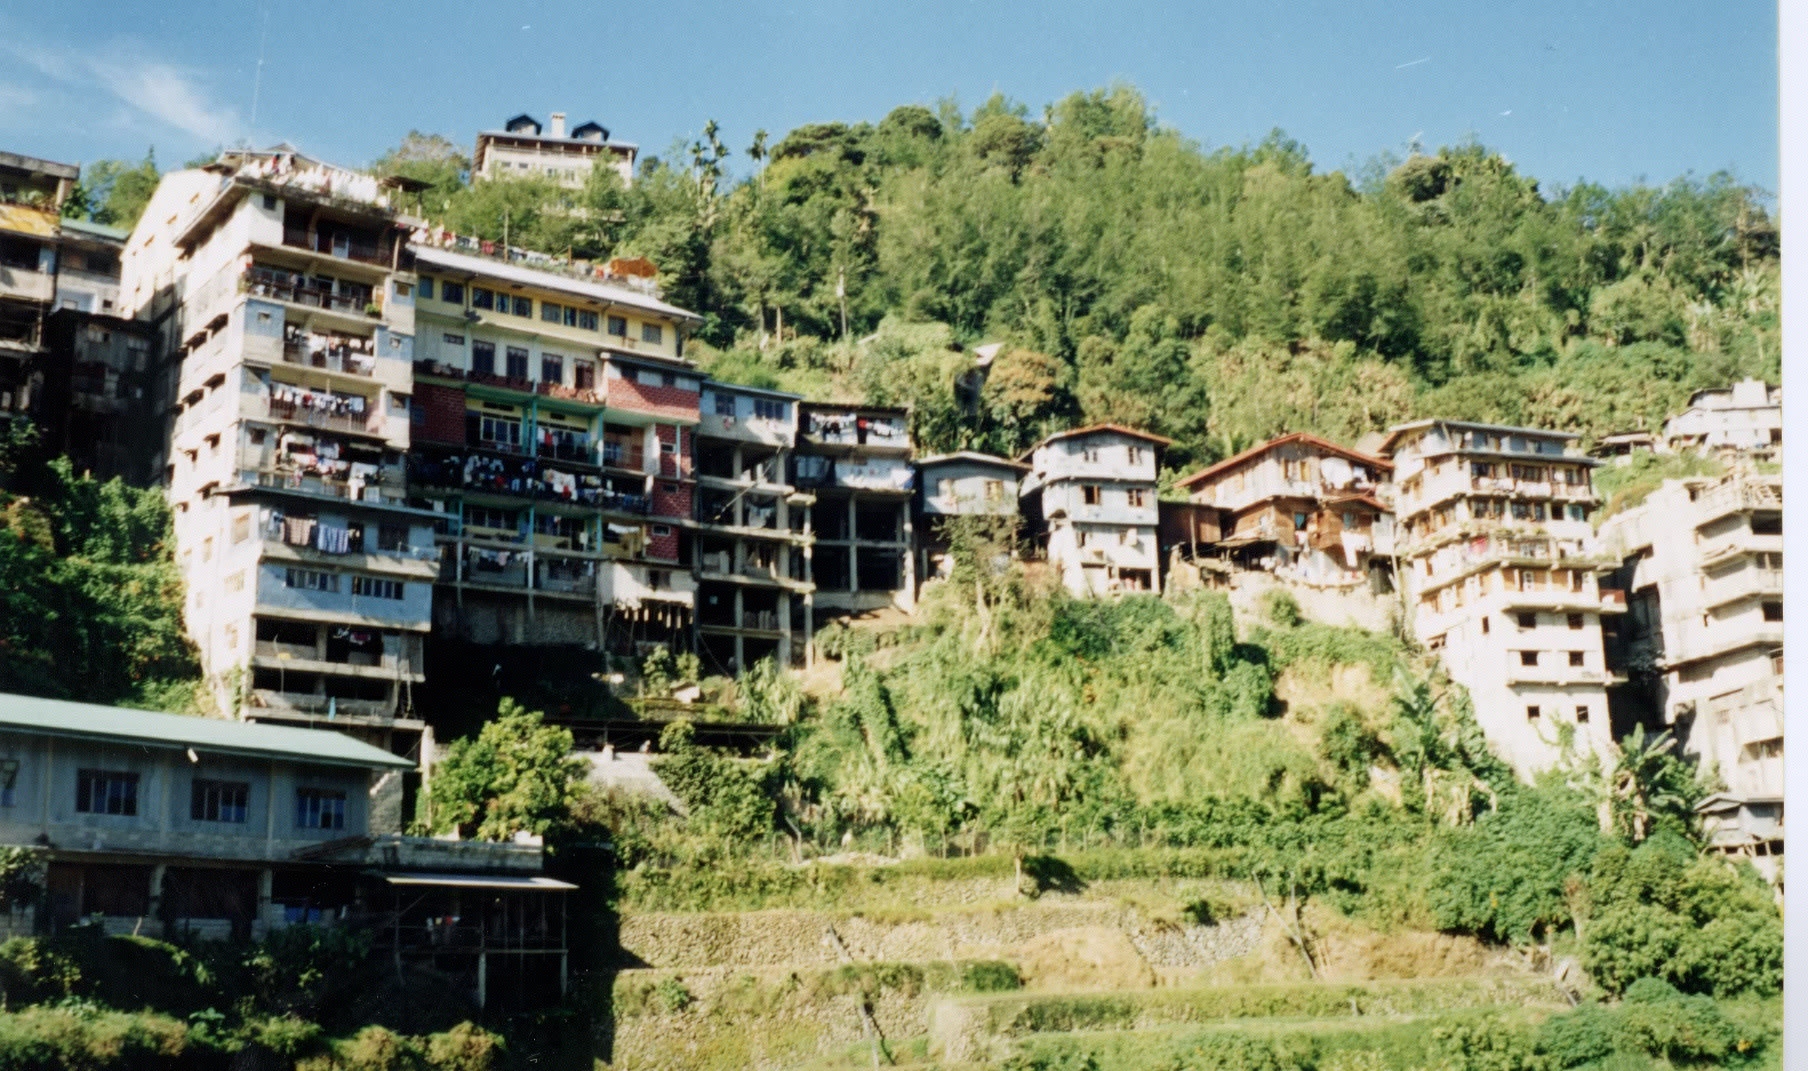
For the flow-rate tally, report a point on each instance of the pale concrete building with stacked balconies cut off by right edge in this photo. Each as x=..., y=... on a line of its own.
x=1704, y=571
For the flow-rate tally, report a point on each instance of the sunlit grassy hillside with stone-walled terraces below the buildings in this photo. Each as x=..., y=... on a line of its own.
x=1039, y=833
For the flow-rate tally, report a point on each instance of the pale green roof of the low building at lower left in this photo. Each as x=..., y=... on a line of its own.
x=147, y=728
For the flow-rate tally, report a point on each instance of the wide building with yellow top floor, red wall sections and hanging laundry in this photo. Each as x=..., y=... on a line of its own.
x=554, y=431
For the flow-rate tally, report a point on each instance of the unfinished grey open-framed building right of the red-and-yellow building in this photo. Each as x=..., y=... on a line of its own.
x=755, y=598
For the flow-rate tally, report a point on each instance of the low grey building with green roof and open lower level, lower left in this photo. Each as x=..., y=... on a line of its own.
x=174, y=826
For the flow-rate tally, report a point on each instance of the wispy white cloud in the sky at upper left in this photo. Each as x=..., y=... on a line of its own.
x=151, y=88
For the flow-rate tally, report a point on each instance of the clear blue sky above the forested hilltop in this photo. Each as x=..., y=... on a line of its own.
x=1610, y=93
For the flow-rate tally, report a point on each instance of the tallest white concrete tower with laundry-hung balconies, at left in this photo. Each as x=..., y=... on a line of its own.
x=283, y=301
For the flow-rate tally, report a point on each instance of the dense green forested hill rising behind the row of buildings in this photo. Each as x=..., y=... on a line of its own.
x=1216, y=296
